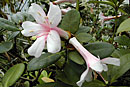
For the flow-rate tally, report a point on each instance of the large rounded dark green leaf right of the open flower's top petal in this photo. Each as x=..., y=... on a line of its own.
x=71, y=21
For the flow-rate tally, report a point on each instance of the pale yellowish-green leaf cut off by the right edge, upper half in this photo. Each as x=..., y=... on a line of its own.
x=124, y=26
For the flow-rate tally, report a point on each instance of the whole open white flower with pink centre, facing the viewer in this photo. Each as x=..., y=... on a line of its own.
x=45, y=29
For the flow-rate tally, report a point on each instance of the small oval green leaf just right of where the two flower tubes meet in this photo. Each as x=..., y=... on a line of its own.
x=83, y=37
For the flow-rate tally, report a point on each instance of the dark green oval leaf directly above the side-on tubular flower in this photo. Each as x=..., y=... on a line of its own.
x=101, y=49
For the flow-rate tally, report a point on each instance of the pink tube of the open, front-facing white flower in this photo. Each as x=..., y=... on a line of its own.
x=62, y=33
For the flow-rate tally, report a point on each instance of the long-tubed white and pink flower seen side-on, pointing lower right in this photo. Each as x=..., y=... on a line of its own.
x=93, y=63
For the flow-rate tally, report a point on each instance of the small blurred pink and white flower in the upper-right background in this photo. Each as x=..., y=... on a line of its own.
x=104, y=18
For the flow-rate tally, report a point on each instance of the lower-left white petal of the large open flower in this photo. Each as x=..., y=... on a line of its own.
x=37, y=47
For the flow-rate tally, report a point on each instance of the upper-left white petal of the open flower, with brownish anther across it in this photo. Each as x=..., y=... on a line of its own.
x=37, y=12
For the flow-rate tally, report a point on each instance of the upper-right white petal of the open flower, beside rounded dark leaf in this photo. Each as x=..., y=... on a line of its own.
x=54, y=15
